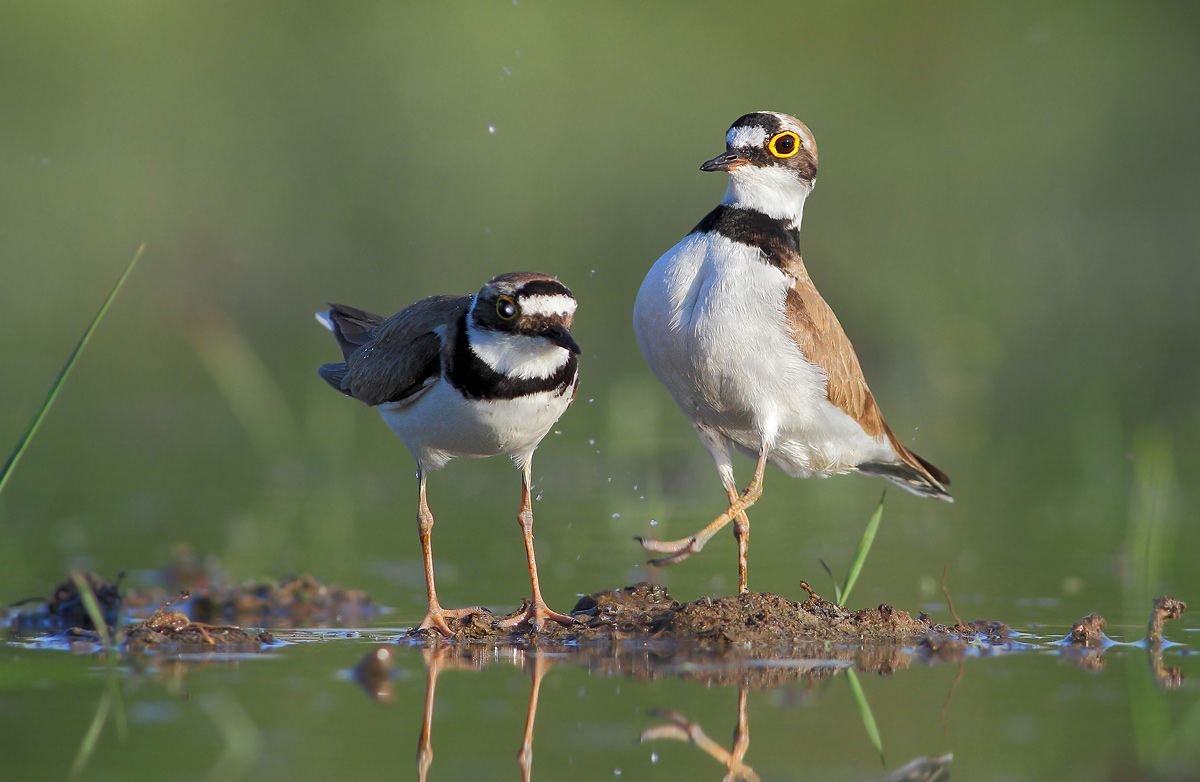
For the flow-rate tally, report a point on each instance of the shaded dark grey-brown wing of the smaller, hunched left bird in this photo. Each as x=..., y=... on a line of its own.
x=400, y=356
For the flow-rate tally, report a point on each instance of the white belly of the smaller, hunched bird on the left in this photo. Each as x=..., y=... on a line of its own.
x=442, y=425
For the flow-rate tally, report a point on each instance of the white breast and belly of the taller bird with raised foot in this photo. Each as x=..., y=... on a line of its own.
x=710, y=320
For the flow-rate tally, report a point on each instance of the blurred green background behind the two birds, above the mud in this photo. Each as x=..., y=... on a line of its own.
x=1007, y=222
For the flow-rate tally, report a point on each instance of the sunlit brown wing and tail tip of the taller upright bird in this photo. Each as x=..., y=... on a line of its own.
x=825, y=344
